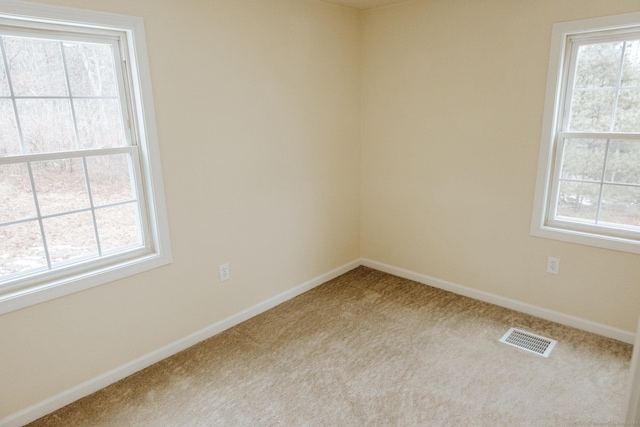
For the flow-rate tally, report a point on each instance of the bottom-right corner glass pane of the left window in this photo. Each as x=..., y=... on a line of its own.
x=118, y=227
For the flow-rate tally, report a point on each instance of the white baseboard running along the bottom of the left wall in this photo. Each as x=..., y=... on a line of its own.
x=60, y=400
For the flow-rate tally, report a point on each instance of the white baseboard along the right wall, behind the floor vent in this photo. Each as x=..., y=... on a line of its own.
x=543, y=313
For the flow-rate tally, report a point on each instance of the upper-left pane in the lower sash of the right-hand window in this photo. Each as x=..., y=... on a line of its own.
x=583, y=159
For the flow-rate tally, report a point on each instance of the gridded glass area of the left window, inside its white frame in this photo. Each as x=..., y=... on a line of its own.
x=65, y=148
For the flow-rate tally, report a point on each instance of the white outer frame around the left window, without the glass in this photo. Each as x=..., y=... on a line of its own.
x=157, y=248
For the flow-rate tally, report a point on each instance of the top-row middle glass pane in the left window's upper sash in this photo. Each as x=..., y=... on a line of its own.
x=35, y=66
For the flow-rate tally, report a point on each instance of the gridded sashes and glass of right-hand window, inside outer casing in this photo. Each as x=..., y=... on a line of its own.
x=596, y=179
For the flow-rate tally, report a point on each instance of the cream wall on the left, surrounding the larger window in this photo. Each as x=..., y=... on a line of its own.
x=257, y=105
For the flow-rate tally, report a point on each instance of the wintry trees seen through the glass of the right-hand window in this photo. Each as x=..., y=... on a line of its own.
x=600, y=178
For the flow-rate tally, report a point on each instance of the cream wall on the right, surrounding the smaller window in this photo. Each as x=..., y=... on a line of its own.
x=453, y=94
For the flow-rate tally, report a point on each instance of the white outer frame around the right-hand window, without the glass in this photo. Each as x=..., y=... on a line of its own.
x=558, y=84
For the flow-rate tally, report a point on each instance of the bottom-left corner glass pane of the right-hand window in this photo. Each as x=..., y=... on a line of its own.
x=578, y=200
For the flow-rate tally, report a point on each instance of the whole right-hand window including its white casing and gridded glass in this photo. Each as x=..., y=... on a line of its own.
x=588, y=187
